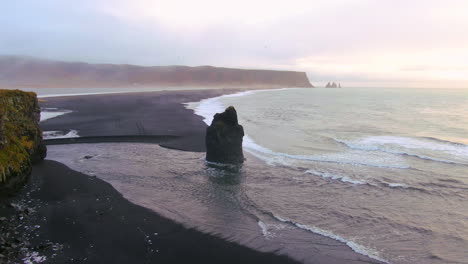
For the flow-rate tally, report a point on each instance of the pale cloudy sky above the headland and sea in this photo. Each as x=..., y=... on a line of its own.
x=411, y=43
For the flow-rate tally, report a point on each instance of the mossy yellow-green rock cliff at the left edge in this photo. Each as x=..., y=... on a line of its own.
x=21, y=141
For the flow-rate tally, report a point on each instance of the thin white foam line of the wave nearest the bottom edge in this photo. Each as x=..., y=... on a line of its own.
x=372, y=253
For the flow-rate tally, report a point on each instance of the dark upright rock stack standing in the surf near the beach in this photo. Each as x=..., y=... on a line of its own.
x=224, y=138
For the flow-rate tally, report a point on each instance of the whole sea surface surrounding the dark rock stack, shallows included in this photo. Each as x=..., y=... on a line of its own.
x=381, y=172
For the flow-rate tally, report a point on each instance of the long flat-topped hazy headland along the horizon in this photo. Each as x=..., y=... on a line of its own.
x=22, y=72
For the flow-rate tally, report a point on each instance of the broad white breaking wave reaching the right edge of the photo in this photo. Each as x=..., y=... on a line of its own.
x=408, y=146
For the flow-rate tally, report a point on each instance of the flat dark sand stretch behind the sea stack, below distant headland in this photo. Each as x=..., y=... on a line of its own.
x=134, y=114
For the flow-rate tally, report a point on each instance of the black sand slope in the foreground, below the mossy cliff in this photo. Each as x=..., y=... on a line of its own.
x=95, y=224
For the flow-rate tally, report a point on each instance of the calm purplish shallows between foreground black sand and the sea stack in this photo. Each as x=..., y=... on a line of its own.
x=213, y=199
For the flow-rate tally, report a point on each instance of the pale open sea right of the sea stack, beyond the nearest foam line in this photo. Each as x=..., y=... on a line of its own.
x=394, y=164
